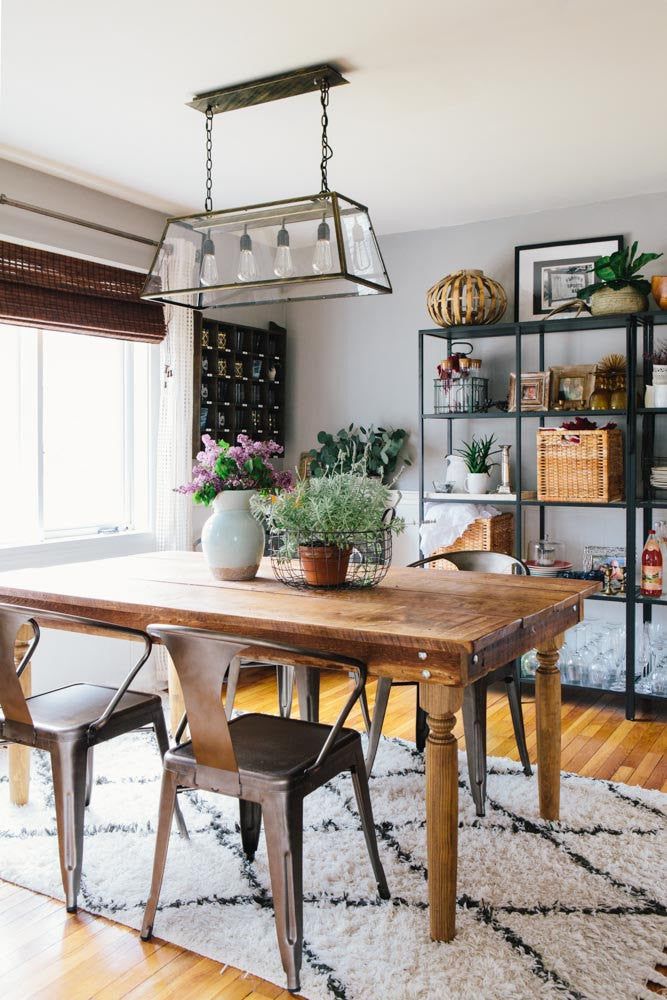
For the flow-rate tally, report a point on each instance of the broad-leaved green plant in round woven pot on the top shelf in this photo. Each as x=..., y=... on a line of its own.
x=619, y=288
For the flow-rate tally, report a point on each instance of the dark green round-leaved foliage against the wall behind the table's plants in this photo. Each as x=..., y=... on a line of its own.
x=373, y=451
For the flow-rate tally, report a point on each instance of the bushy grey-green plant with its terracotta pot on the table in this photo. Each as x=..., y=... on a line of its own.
x=321, y=521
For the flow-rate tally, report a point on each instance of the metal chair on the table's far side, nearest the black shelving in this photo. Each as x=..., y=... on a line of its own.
x=474, y=696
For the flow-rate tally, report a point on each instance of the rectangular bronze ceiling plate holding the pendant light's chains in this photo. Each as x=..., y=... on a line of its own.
x=269, y=88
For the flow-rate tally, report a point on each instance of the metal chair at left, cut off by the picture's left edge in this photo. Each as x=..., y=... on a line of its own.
x=69, y=722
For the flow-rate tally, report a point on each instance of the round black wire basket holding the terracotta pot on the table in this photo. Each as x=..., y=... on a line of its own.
x=348, y=559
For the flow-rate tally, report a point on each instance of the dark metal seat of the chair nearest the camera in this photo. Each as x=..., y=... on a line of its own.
x=271, y=746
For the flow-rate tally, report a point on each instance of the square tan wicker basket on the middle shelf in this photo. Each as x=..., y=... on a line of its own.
x=581, y=466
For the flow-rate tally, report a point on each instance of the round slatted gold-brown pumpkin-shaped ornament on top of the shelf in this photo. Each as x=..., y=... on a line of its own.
x=466, y=298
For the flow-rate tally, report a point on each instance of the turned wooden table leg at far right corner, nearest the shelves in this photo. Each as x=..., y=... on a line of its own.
x=547, y=707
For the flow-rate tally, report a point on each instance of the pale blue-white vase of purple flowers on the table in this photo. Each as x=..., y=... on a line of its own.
x=228, y=477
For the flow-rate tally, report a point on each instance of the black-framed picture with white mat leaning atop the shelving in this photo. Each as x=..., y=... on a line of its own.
x=547, y=275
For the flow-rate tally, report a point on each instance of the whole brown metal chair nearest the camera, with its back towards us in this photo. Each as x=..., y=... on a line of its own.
x=269, y=763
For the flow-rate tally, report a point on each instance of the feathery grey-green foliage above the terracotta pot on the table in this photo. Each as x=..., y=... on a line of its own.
x=318, y=511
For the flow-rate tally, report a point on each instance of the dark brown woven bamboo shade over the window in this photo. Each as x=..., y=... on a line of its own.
x=56, y=292
